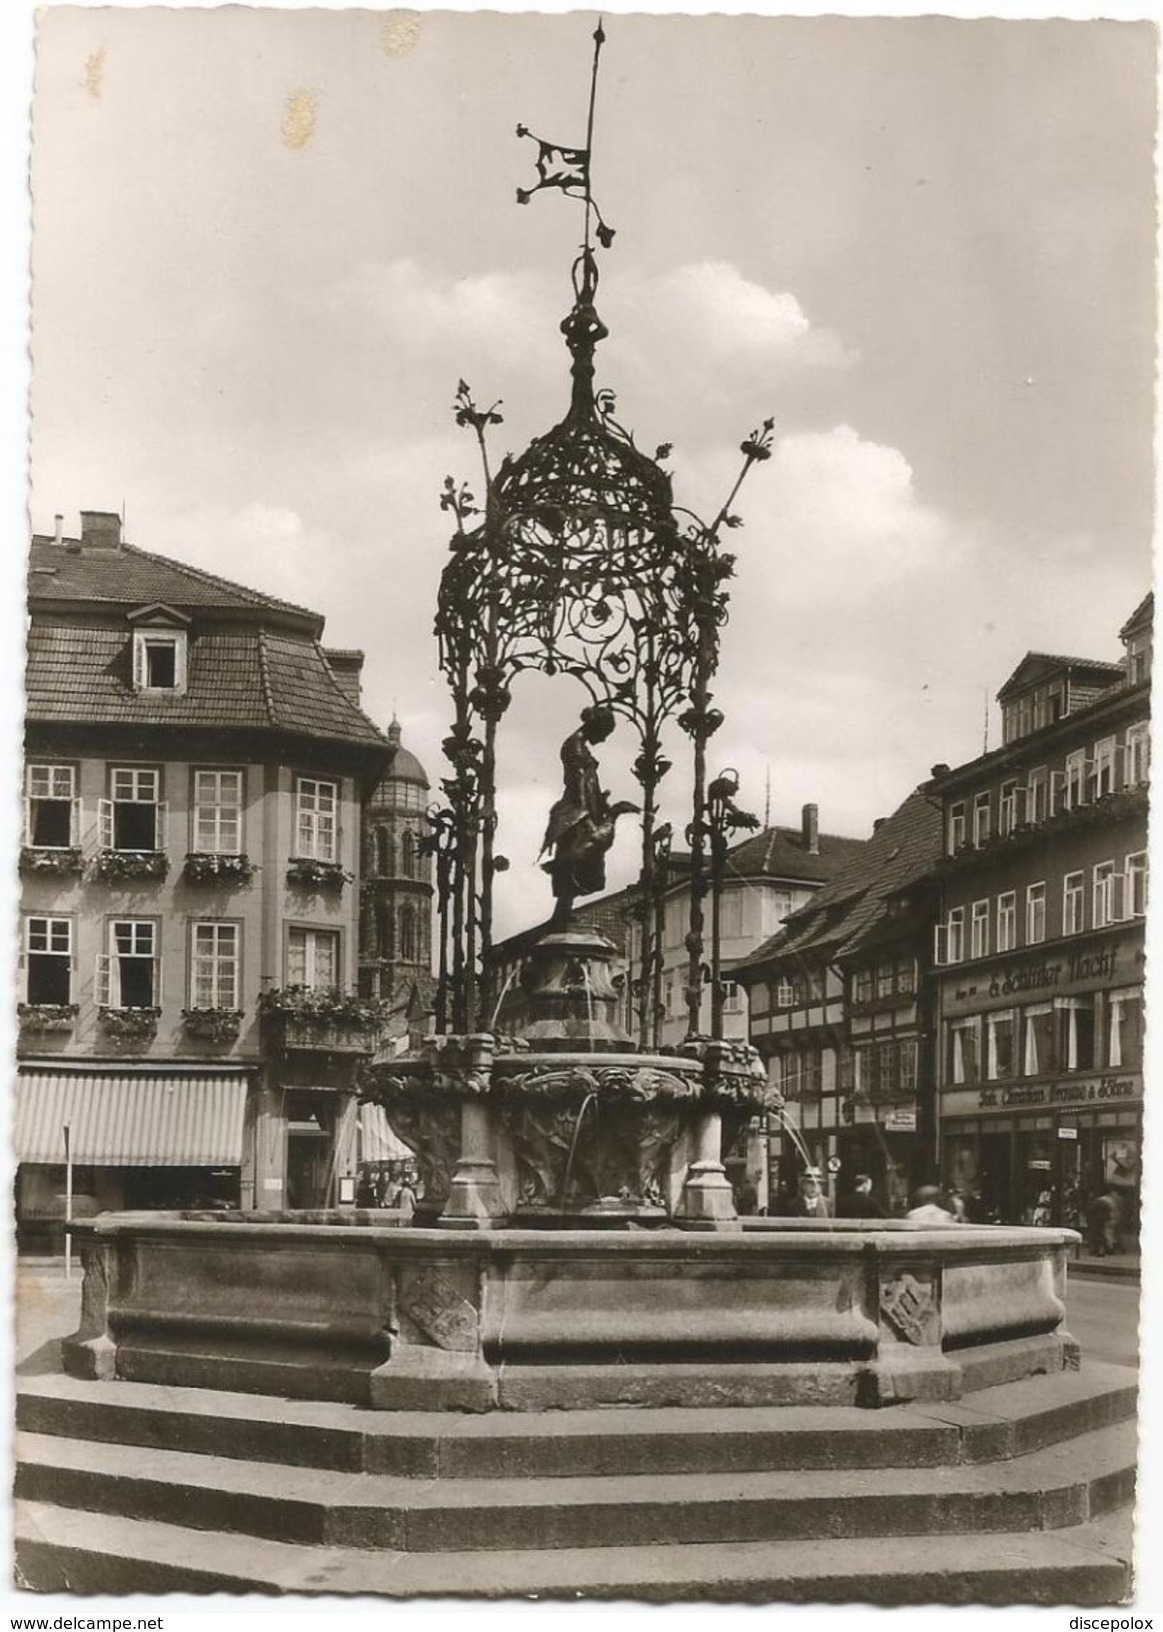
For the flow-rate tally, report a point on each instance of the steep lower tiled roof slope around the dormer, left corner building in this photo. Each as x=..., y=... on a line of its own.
x=236, y=678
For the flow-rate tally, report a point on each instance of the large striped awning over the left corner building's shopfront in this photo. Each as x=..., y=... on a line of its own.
x=120, y=1119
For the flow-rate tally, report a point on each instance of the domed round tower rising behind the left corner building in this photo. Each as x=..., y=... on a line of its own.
x=396, y=936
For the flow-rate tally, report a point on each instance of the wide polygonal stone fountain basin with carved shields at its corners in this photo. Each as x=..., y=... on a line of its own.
x=397, y=1318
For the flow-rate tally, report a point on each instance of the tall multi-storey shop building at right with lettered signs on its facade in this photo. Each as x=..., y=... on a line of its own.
x=1040, y=949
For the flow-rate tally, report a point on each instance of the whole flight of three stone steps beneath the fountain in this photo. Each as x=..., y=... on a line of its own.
x=1017, y=1496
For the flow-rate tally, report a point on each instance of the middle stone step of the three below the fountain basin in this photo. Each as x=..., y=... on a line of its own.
x=1050, y=1489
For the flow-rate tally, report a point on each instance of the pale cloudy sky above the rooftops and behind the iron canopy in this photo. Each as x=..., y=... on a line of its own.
x=268, y=244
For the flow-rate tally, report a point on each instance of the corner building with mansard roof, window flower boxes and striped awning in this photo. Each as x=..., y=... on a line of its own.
x=195, y=763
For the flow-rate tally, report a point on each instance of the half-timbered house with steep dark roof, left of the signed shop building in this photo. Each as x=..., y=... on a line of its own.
x=841, y=1009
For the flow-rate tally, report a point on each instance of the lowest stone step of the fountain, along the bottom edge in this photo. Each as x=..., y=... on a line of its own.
x=1084, y=1566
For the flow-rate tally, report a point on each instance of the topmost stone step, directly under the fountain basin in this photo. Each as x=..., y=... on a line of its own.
x=993, y=1424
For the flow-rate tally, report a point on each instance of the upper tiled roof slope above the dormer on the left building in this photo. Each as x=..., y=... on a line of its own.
x=128, y=577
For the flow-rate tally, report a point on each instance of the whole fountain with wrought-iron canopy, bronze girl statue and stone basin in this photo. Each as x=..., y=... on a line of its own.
x=581, y=1243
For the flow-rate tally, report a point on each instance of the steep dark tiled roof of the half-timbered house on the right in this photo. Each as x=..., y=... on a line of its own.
x=852, y=908
